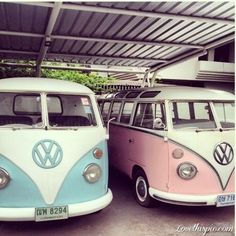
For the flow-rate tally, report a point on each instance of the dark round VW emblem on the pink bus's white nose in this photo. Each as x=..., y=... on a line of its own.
x=223, y=153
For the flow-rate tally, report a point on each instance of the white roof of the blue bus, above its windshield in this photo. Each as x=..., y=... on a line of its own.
x=42, y=85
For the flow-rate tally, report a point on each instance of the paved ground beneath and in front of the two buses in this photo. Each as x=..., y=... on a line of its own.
x=124, y=217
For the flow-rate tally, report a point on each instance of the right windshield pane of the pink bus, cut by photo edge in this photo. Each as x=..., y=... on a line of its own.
x=225, y=113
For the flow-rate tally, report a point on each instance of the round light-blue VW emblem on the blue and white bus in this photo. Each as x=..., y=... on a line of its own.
x=47, y=154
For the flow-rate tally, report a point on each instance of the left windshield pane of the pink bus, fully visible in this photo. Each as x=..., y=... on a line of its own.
x=192, y=115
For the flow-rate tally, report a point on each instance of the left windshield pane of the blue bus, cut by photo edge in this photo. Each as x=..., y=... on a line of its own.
x=19, y=109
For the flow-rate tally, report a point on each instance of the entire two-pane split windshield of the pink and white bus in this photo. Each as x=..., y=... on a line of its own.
x=199, y=115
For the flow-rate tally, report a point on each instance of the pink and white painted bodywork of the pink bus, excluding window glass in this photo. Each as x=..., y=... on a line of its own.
x=149, y=153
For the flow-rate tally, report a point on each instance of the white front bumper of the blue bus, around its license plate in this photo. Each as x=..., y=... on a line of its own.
x=28, y=214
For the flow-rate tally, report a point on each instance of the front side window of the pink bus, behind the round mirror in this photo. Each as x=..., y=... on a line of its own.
x=150, y=115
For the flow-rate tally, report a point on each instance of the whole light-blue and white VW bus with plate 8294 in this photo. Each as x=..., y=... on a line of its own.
x=53, y=151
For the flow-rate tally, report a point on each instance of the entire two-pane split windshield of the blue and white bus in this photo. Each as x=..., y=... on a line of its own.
x=23, y=110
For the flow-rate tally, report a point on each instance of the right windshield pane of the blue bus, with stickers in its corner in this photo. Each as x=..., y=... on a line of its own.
x=70, y=111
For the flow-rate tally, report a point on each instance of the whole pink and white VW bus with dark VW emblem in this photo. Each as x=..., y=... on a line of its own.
x=175, y=143
